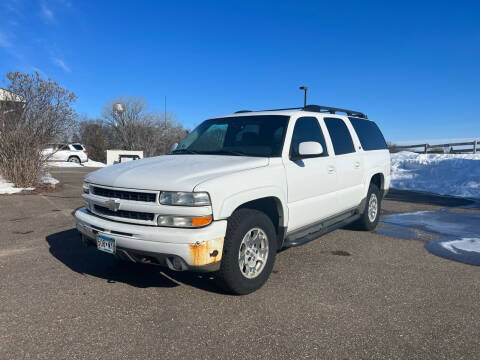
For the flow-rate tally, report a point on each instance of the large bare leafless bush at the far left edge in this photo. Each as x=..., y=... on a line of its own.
x=33, y=112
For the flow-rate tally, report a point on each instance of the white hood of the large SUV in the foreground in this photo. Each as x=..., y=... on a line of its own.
x=172, y=172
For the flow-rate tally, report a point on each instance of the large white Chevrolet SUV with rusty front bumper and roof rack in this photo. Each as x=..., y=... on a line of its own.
x=237, y=189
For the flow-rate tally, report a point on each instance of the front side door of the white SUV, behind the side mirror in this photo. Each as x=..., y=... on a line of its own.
x=311, y=181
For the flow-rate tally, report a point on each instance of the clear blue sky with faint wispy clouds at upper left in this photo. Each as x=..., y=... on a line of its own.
x=414, y=66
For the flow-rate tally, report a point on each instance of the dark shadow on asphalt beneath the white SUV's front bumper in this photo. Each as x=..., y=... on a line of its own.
x=67, y=248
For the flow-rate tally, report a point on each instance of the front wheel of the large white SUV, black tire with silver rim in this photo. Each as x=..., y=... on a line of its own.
x=249, y=252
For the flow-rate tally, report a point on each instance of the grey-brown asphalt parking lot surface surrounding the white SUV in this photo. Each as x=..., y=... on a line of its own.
x=347, y=295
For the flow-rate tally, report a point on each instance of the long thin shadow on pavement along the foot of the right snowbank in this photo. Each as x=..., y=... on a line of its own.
x=427, y=199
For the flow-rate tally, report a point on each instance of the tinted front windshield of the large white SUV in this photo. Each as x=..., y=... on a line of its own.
x=260, y=135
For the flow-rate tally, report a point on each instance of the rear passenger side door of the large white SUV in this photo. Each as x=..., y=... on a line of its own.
x=349, y=164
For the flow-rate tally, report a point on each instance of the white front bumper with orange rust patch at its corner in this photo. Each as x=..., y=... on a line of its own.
x=198, y=249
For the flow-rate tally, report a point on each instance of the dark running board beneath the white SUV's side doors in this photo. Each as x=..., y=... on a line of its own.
x=314, y=231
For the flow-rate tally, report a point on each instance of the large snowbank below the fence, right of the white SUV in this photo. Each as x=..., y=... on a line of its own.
x=444, y=174
